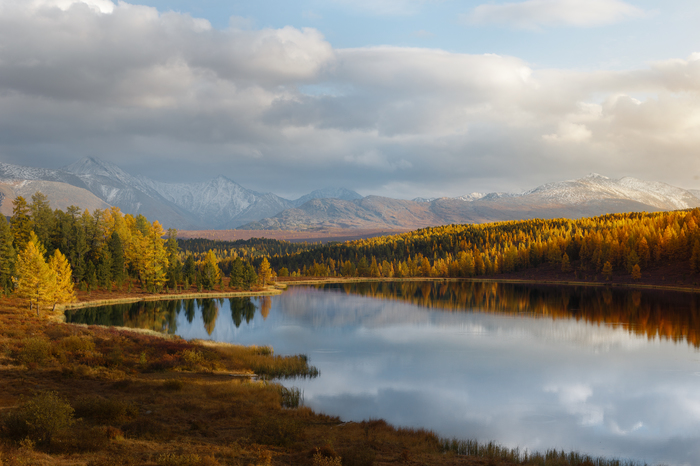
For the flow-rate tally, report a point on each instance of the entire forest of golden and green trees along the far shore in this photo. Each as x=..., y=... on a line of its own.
x=45, y=253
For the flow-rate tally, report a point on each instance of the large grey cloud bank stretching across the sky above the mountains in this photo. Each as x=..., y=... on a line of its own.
x=170, y=96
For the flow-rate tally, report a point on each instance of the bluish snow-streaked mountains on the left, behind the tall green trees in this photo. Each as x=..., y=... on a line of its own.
x=92, y=183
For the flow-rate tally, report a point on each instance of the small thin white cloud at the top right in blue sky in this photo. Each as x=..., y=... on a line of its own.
x=535, y=14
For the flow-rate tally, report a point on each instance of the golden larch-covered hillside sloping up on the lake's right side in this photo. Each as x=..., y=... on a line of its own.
x=620, y=243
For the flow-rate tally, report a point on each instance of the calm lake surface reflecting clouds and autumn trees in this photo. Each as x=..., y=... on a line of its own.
x=605, y=372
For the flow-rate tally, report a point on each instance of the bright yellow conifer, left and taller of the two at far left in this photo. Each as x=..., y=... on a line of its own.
x=34, y=280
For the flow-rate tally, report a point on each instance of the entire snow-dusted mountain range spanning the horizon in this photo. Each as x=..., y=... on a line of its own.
x=224, y=204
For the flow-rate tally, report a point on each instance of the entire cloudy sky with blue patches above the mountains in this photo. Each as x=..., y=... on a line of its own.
x=402, y=98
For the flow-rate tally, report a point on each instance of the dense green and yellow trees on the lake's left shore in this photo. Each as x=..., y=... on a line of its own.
x=50, y=251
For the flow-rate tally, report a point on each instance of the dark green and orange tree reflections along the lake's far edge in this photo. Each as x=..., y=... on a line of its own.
x=666, y=314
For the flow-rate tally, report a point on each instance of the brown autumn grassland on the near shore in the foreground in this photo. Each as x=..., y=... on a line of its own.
x=97, y=396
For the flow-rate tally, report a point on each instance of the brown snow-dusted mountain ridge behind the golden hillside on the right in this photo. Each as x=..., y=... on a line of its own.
x=589, y=196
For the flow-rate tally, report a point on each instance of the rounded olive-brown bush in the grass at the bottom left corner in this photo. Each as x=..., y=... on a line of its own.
x=40, y=418
